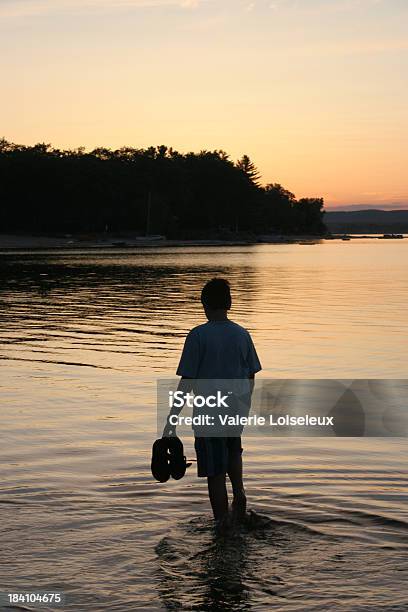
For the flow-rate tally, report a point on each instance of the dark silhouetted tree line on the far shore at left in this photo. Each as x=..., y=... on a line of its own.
x=155, y=191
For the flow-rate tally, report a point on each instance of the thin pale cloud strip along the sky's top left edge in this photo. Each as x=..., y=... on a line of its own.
x=26, y=8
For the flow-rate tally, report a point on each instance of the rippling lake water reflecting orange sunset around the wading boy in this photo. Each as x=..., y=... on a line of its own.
x=83, y=337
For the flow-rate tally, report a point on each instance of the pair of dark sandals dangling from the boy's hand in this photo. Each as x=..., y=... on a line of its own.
x=168, y=459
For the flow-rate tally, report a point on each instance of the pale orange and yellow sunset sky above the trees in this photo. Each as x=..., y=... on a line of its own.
x=314, y=91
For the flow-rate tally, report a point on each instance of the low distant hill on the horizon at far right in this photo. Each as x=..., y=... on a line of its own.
x=367, y=221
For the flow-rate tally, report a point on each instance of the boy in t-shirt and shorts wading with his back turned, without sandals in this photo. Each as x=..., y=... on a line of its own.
x=218, y=349
